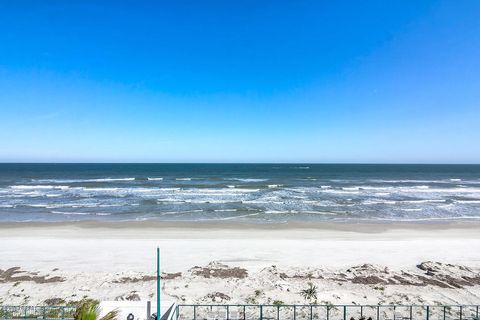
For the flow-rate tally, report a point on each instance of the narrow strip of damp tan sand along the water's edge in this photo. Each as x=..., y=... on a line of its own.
x=229, y=230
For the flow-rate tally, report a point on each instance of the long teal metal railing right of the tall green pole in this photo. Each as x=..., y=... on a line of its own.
x=327, y=312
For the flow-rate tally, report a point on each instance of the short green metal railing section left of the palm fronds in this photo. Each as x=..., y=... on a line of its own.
x=37, y=312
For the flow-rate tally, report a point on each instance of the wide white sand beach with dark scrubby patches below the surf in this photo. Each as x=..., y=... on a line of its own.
x=236, y=263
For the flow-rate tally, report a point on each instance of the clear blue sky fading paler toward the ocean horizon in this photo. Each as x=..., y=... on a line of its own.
x=240, y=81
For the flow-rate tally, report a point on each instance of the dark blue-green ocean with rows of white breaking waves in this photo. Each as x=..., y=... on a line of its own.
x=263, y=193
